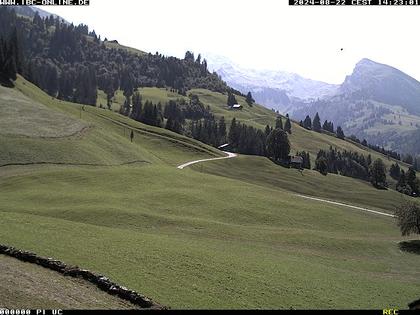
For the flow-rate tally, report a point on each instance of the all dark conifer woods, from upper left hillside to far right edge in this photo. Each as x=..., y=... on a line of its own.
x=71, y=63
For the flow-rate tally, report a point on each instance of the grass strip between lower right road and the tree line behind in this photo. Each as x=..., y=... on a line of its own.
x=263, y=172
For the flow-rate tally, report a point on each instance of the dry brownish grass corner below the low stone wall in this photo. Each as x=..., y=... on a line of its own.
x=24, y=284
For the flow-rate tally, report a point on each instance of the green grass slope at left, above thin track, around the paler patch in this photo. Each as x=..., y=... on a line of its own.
x=105, y=142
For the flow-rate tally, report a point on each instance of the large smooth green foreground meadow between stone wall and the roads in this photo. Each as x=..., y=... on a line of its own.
x=192, y=240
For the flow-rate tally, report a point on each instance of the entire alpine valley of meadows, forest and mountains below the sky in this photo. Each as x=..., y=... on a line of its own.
x=154, y=172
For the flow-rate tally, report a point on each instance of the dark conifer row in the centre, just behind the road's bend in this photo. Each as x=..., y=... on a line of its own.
x=191, y=118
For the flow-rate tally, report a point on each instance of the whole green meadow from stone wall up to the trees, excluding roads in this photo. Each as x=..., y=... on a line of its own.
x=227, y=234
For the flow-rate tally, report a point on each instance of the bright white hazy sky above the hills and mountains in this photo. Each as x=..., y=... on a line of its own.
x=261, y=34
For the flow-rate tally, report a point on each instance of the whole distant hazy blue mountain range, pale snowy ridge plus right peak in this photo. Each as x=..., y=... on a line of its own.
x=377, y=102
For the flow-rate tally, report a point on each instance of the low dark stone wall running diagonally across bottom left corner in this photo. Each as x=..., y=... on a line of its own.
x=73, y=271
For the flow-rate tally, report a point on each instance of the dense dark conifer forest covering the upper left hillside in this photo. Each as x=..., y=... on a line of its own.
x=71, y=63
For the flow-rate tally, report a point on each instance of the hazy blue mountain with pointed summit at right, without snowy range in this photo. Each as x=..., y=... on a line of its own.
x=377, y=102
